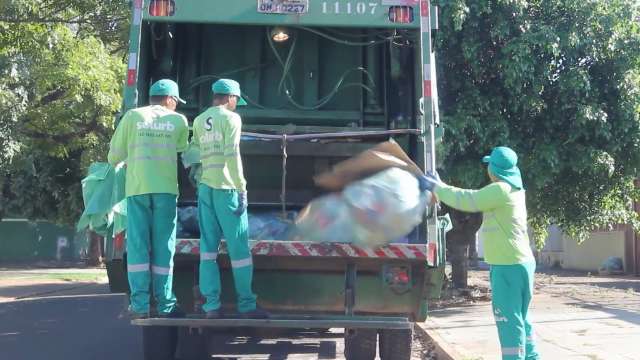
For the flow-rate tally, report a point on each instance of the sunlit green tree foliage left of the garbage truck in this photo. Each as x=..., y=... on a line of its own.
x=61, y=72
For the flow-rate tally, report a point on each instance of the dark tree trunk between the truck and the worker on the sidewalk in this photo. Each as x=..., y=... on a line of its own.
x=459, y=238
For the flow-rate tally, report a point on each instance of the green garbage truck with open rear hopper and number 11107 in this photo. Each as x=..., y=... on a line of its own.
x=325, y=80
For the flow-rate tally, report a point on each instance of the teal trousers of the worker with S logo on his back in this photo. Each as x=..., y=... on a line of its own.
x=217, y=220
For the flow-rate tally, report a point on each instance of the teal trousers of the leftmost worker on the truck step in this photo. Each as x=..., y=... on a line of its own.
x=151, y=244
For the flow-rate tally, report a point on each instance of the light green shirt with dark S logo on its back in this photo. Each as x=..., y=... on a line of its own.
x=216, y=134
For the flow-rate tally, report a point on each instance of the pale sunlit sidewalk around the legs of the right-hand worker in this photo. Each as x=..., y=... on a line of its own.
x=575, y=317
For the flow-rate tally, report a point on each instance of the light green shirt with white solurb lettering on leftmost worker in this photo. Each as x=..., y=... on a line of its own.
x=148, y=139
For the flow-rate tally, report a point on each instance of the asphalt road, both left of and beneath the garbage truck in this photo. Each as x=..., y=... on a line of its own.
x=86, y=323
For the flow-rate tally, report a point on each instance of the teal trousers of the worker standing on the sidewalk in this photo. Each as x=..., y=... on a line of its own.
x=512, y=289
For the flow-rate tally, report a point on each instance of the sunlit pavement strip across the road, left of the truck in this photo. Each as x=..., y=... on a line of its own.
x=16, y=284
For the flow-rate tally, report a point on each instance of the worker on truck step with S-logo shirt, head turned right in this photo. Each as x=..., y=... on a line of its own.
x=222, y=201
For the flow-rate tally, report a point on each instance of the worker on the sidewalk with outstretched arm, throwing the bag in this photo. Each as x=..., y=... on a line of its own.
x=506, y=246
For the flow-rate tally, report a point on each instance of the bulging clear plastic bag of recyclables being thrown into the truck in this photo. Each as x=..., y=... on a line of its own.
x=371, y=212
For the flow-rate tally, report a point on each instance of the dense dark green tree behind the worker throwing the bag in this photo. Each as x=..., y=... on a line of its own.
x=559, y=82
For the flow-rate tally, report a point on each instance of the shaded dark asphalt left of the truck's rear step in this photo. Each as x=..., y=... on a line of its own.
x=81, y=323
